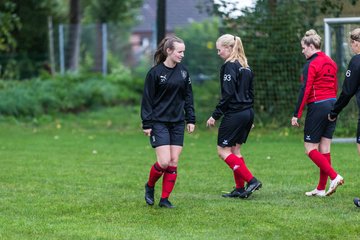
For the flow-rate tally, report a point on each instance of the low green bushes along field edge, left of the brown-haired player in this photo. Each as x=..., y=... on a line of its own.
x=70, y=93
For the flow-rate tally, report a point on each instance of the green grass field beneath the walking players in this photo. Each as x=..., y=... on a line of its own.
x=83, y=178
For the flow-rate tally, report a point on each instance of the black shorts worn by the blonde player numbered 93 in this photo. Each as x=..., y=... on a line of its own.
x=235, y=127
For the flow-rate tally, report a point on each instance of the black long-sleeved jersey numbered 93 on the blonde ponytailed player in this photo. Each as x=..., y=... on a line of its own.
x=237, y=91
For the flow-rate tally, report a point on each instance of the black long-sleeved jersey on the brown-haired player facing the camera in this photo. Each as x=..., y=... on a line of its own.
x=167, y=96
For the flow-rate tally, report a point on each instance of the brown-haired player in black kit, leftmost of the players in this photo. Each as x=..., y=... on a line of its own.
x=167, y=104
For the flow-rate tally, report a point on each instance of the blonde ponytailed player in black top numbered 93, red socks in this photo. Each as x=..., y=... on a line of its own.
x=236, y=107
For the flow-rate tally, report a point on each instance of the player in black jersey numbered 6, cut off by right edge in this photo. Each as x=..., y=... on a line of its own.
x=351, y=86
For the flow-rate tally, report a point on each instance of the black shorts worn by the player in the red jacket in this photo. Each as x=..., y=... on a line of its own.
x=317, y=124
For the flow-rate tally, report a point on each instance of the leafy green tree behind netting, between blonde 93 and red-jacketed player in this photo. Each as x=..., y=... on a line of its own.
x=271, y=32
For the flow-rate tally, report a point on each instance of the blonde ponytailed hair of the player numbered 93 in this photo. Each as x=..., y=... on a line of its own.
x=235, y=43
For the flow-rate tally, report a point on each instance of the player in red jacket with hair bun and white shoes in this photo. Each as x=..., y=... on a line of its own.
x=318, y=93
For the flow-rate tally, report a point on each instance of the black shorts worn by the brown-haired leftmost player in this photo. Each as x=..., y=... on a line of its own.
x=167, y=134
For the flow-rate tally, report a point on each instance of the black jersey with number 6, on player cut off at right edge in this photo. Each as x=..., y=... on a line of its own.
x=350, y=86
